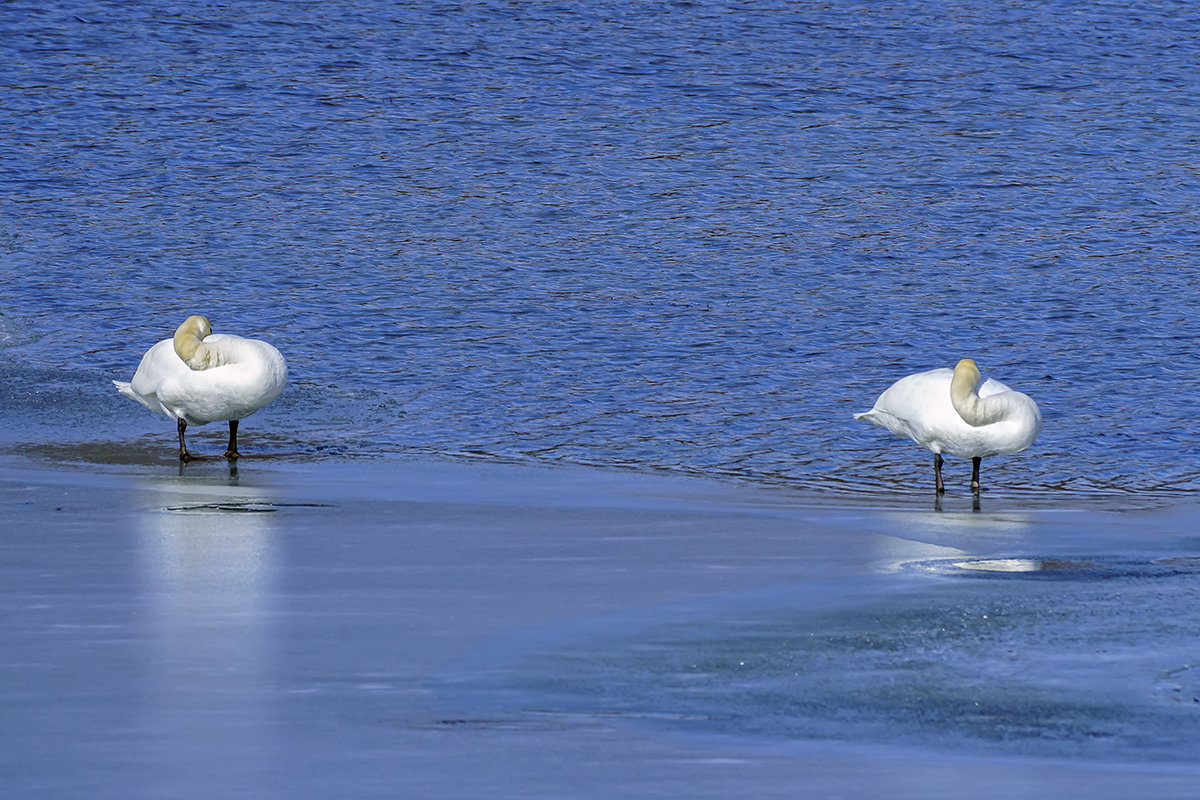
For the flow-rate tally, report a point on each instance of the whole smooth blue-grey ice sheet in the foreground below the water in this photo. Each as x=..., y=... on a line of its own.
x=446, y=630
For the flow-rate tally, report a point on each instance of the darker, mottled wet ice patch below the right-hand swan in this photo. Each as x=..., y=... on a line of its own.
x=1052, y=667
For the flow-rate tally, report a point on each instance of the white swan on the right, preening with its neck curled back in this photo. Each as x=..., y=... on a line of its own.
x=949, y=411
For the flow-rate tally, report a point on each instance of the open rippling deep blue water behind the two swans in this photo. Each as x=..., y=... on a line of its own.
x=674, y=237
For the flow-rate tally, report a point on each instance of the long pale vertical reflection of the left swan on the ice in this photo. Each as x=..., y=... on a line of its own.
x=208, y=561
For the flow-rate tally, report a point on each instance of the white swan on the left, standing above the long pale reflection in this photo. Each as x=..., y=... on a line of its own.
x=201, y=377
